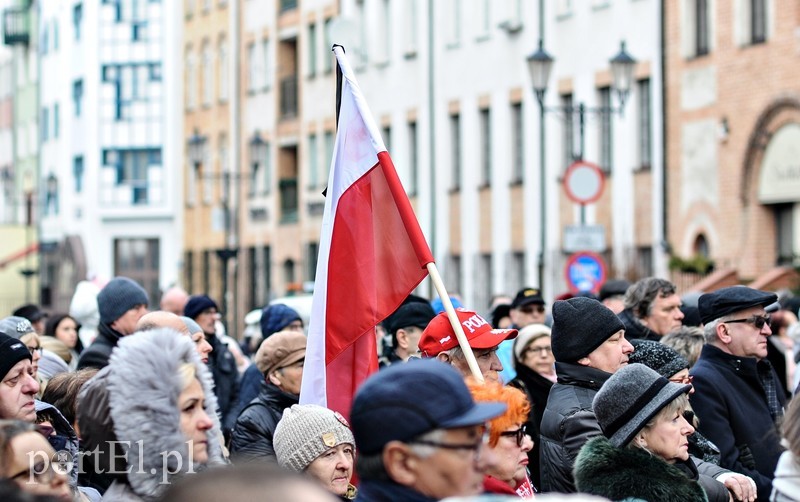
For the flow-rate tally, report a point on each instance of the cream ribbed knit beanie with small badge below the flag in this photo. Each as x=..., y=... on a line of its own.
x=305, y=432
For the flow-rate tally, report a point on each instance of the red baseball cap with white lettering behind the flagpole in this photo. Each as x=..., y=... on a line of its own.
x=438, y=336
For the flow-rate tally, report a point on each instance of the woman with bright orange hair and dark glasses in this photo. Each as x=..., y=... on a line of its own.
x=509, y=441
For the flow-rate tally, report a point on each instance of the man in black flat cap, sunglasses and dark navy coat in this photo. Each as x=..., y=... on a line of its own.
x=737, y=396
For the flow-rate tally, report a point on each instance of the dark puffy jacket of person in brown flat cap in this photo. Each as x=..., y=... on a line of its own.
x=252, y=437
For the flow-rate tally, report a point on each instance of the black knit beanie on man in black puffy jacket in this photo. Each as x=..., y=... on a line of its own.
x=580, y=325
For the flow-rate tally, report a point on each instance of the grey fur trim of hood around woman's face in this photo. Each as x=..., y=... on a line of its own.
x=143, y=390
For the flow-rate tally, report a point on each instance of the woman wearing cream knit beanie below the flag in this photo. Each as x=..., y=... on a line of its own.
x=318, y=442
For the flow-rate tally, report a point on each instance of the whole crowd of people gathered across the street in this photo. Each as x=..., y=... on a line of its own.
x=636, y=393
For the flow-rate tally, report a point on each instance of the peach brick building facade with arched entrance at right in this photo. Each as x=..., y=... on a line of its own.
x=733, y=109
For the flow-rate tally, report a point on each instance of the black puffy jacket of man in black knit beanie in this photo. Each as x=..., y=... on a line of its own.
x=568, y=423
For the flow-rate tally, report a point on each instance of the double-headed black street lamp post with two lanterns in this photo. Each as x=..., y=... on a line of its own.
x=540, y=65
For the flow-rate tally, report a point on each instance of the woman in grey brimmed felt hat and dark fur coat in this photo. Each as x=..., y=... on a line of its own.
x=645, y=451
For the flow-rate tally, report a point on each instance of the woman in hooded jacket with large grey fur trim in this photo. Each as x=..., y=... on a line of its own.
x=156, y=396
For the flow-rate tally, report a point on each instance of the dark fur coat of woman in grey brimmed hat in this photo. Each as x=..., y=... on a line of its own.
x=619, y=473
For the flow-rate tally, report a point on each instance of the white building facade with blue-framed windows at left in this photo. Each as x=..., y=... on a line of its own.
x=109, y=156
